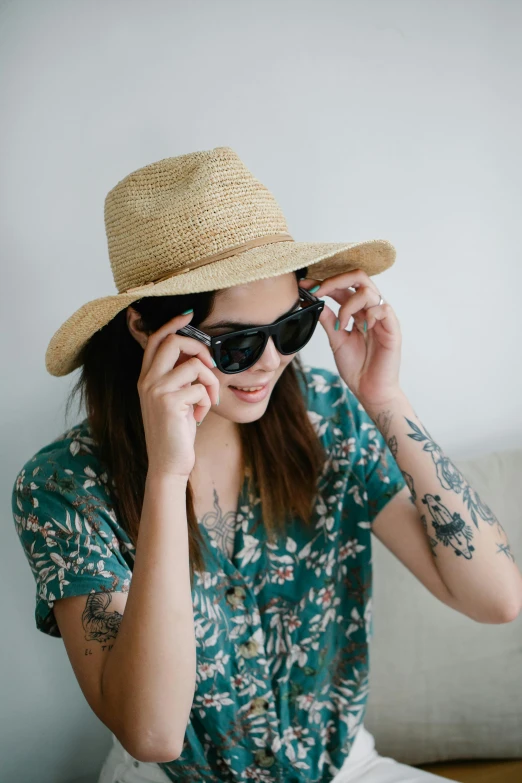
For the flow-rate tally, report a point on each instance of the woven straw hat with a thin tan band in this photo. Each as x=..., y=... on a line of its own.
x=198, y=222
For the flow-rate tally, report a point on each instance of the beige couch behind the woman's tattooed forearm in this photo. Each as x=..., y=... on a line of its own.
x=446, y=691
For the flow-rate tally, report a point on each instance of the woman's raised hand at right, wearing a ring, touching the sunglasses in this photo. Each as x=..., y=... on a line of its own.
x=367, y=362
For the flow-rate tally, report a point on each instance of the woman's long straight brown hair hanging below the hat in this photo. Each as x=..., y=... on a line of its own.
x=280, y=451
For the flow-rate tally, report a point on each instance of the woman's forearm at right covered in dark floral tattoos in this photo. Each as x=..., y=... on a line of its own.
x=470, y=547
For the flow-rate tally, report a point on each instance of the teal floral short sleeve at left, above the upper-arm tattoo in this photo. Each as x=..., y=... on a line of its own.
x=67, y=531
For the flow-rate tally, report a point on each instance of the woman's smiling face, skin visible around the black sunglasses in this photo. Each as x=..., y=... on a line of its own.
x=252, y=304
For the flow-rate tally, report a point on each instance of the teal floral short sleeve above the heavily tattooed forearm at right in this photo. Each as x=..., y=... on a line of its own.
x=382, y=476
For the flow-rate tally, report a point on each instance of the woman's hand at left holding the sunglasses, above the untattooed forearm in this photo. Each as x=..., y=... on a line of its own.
x=170, y=403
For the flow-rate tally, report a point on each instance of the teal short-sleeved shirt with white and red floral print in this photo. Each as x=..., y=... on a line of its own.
x=282, y=630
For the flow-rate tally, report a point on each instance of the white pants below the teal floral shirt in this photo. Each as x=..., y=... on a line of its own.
x=363, y=765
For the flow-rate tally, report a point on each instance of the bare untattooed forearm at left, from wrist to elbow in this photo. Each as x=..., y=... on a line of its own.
x=149, y=678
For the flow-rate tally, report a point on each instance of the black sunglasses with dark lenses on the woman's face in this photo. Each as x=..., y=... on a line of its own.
x=237, y=351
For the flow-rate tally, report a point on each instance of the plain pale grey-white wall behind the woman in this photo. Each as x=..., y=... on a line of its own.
x=396, y=120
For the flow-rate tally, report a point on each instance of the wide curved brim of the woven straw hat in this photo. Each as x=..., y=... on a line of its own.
x=322, y=259
